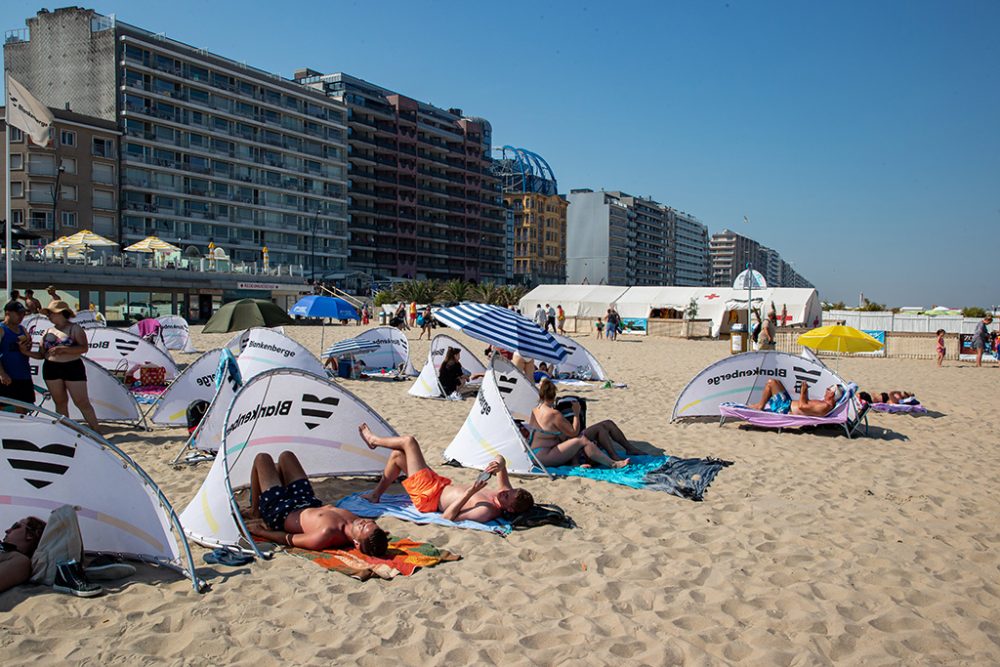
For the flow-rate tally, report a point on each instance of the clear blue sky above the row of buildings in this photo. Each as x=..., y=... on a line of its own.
x=860, y=139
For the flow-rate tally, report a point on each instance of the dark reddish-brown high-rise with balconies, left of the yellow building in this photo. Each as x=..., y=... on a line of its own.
x=423, y=200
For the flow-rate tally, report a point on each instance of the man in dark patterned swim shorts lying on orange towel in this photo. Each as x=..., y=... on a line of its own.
x=288, y=512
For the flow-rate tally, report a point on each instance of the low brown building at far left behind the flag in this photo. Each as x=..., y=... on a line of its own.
x=80, y=165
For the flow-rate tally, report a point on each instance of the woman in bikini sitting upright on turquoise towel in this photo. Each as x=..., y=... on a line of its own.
x=556, y=441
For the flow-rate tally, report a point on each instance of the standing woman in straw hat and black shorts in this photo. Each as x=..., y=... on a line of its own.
x=63, y=370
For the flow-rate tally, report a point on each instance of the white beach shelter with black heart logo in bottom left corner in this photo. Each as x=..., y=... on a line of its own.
x=51, y=461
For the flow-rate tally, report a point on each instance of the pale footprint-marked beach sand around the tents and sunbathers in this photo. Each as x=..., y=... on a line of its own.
x=811, y=549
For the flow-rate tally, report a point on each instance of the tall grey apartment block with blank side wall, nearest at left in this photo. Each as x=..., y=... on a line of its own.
x=212, y=149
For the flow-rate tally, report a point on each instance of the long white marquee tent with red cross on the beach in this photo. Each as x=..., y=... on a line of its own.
x=803, y=306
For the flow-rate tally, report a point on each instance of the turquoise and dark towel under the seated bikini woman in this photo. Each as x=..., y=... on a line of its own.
x=685, y=478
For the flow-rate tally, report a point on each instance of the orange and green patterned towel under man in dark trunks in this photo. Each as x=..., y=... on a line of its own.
x=403, y=558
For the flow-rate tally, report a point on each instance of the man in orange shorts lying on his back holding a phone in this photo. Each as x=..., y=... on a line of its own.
x=430, y=492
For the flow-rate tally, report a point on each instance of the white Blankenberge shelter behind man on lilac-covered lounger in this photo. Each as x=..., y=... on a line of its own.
x=741, y=378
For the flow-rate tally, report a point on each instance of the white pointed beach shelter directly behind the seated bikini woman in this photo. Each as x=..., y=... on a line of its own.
x=490, y=428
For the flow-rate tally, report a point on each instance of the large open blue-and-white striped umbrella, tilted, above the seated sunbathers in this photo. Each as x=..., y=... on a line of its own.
x=503, y=328
